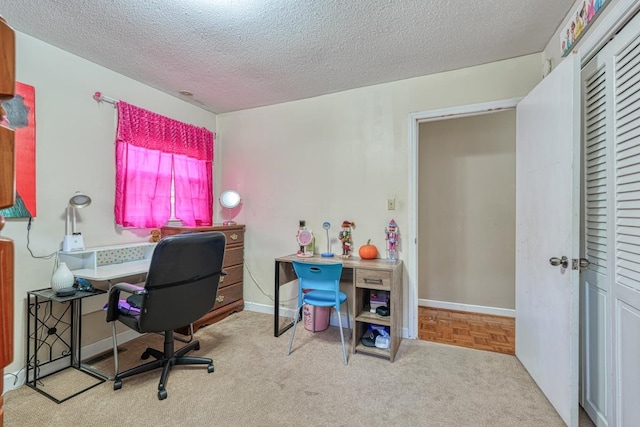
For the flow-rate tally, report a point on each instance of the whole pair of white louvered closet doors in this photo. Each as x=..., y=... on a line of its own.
x=610, y=286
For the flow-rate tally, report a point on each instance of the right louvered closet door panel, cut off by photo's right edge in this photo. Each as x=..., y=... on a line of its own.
x=626, y=284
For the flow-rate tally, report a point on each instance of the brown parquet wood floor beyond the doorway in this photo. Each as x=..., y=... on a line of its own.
x=473, y=330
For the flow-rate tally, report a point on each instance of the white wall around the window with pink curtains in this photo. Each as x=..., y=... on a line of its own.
x=74, y=151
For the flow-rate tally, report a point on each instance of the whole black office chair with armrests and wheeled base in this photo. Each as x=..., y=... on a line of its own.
x=181, y=287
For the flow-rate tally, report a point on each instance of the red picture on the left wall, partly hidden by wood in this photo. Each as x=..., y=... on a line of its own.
x=21, y=117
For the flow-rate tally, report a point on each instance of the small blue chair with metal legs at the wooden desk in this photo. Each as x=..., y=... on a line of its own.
x=323, y=284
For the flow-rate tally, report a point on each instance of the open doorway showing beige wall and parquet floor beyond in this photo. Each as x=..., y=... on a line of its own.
x=467, y=231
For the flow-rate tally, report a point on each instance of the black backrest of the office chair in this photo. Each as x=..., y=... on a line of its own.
x=182, y=282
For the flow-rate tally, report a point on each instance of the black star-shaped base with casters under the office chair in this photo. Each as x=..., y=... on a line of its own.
x=165, y=360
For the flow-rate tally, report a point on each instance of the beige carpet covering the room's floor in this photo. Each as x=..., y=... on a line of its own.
x=256, y=384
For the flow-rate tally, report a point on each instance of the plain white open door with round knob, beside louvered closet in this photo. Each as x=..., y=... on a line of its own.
x=547, y=225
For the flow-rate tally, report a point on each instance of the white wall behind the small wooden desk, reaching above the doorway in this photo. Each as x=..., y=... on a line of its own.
x=339, y=157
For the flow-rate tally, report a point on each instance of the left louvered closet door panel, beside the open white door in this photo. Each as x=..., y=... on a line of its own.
x=596, y=237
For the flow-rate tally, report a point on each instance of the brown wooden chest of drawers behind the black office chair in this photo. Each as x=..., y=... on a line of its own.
x=230, y=293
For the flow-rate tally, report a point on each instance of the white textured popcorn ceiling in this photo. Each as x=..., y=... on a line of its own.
x=238, y=54
